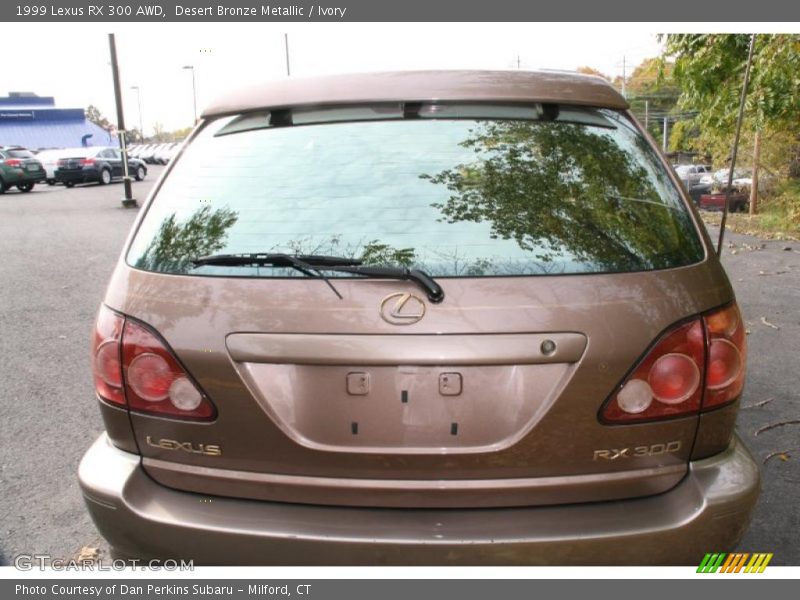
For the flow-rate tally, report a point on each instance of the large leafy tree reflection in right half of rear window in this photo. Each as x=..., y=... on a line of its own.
x=559, y=188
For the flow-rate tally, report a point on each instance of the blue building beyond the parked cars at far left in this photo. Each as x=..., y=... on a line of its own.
x=35, y=123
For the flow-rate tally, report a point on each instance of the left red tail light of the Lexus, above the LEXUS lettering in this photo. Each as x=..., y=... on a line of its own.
x=133, y=367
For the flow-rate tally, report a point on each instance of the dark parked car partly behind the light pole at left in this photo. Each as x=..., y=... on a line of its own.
x=99, y=164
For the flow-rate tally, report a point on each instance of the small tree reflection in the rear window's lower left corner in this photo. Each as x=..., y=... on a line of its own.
x=176, y=244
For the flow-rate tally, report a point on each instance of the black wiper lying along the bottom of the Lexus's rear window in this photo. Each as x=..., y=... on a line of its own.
x=313, y=265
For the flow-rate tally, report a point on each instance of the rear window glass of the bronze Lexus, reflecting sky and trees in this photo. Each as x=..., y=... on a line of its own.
x=466, y=190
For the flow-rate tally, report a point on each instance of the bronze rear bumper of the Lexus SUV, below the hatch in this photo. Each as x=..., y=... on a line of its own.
x=708, y=511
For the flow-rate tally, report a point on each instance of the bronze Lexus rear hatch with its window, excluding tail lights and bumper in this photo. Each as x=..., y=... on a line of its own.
x=564, y=250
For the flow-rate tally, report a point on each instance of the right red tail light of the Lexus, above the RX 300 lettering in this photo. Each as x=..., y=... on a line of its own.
x=695, y=366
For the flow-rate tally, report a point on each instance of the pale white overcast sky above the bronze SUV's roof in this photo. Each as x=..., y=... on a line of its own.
x=71, y=61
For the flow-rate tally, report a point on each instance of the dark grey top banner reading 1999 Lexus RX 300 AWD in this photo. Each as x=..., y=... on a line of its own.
x=186, y=11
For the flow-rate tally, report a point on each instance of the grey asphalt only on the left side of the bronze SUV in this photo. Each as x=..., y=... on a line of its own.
x=58, y=247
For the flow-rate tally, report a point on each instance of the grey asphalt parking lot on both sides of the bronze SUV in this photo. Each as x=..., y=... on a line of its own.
x=59, y=247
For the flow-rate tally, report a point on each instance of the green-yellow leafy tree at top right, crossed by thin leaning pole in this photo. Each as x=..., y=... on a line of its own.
x=709, y=69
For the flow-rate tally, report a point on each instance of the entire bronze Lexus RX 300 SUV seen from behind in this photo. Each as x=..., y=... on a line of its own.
x=426, y=317
